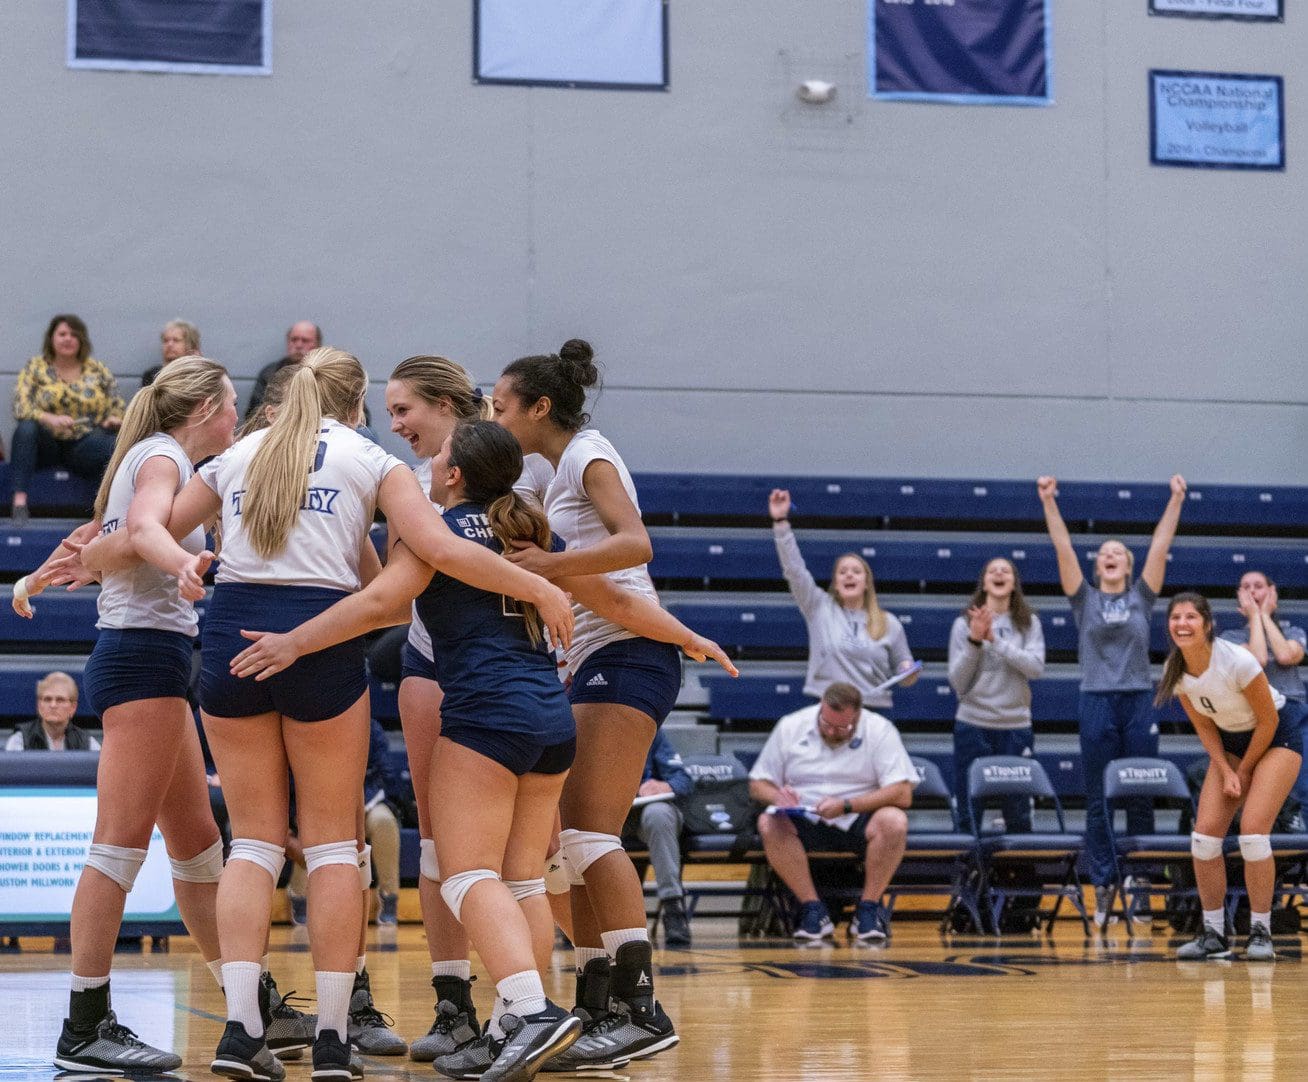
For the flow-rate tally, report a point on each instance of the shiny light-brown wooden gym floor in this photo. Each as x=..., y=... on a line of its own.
x=923, y=1008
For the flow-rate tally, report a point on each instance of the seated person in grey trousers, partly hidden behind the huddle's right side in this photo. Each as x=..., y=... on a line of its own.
x=659, y=825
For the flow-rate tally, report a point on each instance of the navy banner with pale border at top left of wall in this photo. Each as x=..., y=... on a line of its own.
x=193, y=37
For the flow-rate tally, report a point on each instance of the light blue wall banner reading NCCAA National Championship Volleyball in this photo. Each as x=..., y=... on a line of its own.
x=1216, y=121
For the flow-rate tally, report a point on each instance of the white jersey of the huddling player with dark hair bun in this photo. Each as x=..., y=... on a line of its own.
x=575, y=519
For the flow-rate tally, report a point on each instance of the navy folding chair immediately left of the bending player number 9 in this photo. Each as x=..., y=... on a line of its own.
x=1162, y=784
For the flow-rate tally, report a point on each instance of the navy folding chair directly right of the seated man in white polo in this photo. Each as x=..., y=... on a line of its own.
x=938, y=856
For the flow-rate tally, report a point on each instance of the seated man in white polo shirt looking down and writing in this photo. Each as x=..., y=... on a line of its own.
x=850, y=770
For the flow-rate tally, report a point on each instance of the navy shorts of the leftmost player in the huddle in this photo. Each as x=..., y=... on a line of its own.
x=133, y=664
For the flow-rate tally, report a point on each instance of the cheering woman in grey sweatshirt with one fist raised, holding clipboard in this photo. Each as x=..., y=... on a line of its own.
x=851, y=638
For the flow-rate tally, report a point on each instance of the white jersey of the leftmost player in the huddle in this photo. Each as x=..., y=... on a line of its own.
x=145, y=597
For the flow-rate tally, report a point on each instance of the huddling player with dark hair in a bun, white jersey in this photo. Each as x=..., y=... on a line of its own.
x=622, y=690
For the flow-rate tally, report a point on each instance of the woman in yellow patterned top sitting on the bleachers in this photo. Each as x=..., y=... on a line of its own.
x=67, y=408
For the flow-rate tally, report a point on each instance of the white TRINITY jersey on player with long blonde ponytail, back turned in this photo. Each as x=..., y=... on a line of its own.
x=334, y=521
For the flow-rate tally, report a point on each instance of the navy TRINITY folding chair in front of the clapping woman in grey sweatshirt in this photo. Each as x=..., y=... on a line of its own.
x=1047, y=856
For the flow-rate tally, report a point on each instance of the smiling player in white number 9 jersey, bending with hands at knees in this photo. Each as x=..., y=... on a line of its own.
x=1255, y=752
